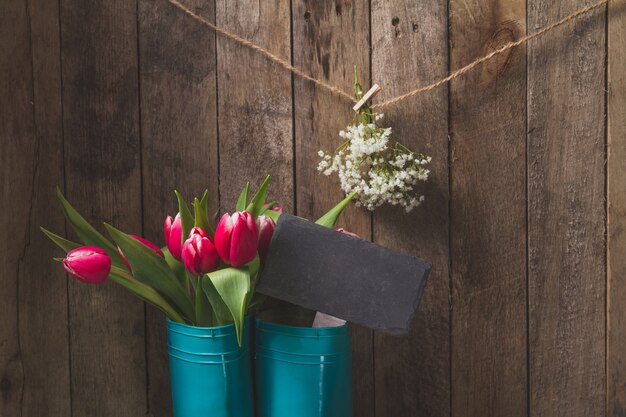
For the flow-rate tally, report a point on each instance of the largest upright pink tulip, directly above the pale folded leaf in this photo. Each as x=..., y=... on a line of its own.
x=236, y=238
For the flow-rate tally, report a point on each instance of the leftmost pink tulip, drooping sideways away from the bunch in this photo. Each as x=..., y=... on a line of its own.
x=88, y=264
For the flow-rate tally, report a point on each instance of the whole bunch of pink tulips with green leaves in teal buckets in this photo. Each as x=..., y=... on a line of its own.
x=205, y=275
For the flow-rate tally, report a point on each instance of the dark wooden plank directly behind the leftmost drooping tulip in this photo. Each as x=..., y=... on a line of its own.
x=102, y=145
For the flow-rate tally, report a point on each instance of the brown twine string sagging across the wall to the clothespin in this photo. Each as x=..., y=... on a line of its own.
x=429, y=87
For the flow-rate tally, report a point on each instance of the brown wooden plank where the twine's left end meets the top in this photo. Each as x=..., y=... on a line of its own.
x=179, y=141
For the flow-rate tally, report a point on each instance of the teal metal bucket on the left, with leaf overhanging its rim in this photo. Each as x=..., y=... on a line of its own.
x=211, y=375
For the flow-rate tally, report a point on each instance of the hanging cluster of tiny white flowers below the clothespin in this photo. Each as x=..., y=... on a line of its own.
x=378, y=173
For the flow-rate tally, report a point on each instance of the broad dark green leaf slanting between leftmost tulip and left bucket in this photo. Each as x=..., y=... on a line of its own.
x=151, y=269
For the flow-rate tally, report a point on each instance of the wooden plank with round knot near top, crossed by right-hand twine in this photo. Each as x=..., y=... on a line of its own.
x=488, y=211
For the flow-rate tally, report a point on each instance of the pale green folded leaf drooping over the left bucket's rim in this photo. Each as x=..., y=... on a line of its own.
x=233, y=287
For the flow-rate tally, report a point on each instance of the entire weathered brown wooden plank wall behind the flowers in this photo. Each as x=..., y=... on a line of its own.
x=119, y=102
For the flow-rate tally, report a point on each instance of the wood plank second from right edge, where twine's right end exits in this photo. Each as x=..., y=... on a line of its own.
x=566, y=213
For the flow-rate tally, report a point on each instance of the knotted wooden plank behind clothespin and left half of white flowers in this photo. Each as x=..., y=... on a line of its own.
x=331, y=38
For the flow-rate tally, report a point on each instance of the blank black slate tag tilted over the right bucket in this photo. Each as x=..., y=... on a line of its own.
x=346, y=277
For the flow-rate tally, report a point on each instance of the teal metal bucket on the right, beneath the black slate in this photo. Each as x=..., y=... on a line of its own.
x=303, y=372
